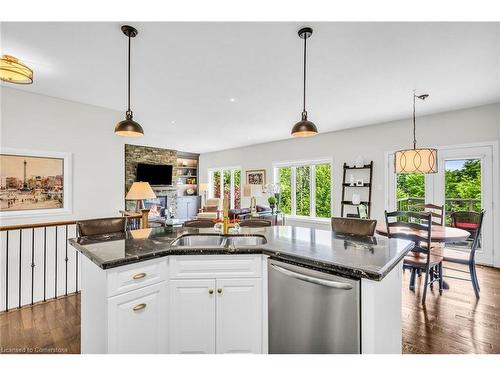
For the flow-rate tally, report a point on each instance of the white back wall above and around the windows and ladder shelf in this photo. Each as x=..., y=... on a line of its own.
x=457, y=127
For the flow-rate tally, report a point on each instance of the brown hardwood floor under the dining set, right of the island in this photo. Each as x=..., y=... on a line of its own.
x=455, y=322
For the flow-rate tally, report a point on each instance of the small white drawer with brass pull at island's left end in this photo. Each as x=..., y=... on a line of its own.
x=127, y=278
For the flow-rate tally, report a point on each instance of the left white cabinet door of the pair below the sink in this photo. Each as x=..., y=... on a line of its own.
x=192, y=316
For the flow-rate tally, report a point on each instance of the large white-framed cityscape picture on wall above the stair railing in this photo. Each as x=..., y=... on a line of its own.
x=34, y=183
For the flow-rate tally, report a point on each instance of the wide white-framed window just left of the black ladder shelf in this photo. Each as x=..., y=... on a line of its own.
x=306, y=188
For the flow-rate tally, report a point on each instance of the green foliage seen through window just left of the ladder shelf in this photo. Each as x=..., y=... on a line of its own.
x=303, y=190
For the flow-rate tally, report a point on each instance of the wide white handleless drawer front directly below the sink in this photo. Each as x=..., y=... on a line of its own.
x=213, y=266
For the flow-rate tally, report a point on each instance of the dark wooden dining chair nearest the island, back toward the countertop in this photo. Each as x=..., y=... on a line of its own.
x=420, y=258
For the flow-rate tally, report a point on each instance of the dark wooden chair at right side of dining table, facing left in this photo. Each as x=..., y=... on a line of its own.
x=460, y=257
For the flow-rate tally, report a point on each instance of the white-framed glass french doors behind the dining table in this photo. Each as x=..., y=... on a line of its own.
x=466, y=180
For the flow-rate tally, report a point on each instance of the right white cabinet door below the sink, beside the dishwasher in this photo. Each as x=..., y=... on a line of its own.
x=239, y=316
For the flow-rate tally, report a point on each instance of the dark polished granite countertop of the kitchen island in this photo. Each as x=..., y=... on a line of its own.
x=320, y=249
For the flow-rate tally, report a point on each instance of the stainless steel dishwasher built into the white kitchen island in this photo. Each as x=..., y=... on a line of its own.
x=311, y=311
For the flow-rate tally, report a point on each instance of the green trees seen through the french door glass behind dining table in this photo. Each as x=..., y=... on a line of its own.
x=462, y=187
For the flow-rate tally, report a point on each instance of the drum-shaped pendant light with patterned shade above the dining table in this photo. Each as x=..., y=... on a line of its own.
x=416, y=160
